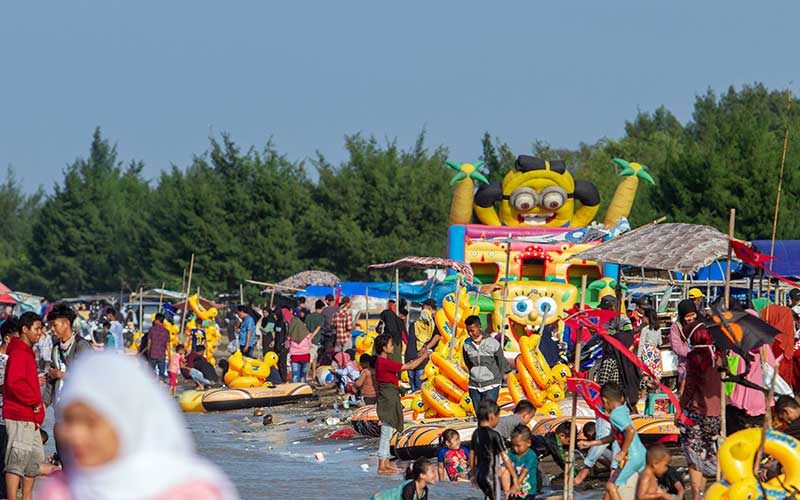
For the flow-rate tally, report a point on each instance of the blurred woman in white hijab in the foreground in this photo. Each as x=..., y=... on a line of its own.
x=122, y=438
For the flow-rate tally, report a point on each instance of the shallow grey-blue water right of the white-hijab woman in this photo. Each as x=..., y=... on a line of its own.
x=277, y=461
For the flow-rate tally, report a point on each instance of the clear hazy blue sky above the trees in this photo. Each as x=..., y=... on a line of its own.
x=160, y=77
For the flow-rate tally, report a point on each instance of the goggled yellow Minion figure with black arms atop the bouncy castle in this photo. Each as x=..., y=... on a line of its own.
x=538, y=193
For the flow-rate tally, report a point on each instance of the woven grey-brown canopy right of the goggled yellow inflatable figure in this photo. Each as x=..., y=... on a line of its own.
x=672, y=246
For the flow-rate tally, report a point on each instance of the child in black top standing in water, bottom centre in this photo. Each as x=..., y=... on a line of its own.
x=488, y=451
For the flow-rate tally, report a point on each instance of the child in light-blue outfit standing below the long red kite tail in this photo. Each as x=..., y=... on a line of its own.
x=631, y=457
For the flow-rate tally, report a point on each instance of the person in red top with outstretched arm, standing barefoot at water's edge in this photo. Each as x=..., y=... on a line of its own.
x=390, y=410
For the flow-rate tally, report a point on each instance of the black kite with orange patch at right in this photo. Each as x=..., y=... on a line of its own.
x=738, y=331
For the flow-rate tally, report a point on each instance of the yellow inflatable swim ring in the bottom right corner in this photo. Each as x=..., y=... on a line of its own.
x=736, y=457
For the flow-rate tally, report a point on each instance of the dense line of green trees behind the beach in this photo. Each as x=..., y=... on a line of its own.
x=255, y=214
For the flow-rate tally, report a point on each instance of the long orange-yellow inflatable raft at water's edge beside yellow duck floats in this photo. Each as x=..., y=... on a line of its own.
x=237, y=399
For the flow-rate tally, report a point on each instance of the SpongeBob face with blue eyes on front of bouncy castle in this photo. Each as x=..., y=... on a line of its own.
x=529, y=302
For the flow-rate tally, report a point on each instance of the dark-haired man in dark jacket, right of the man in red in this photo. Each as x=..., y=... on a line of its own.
x=68, y=346
